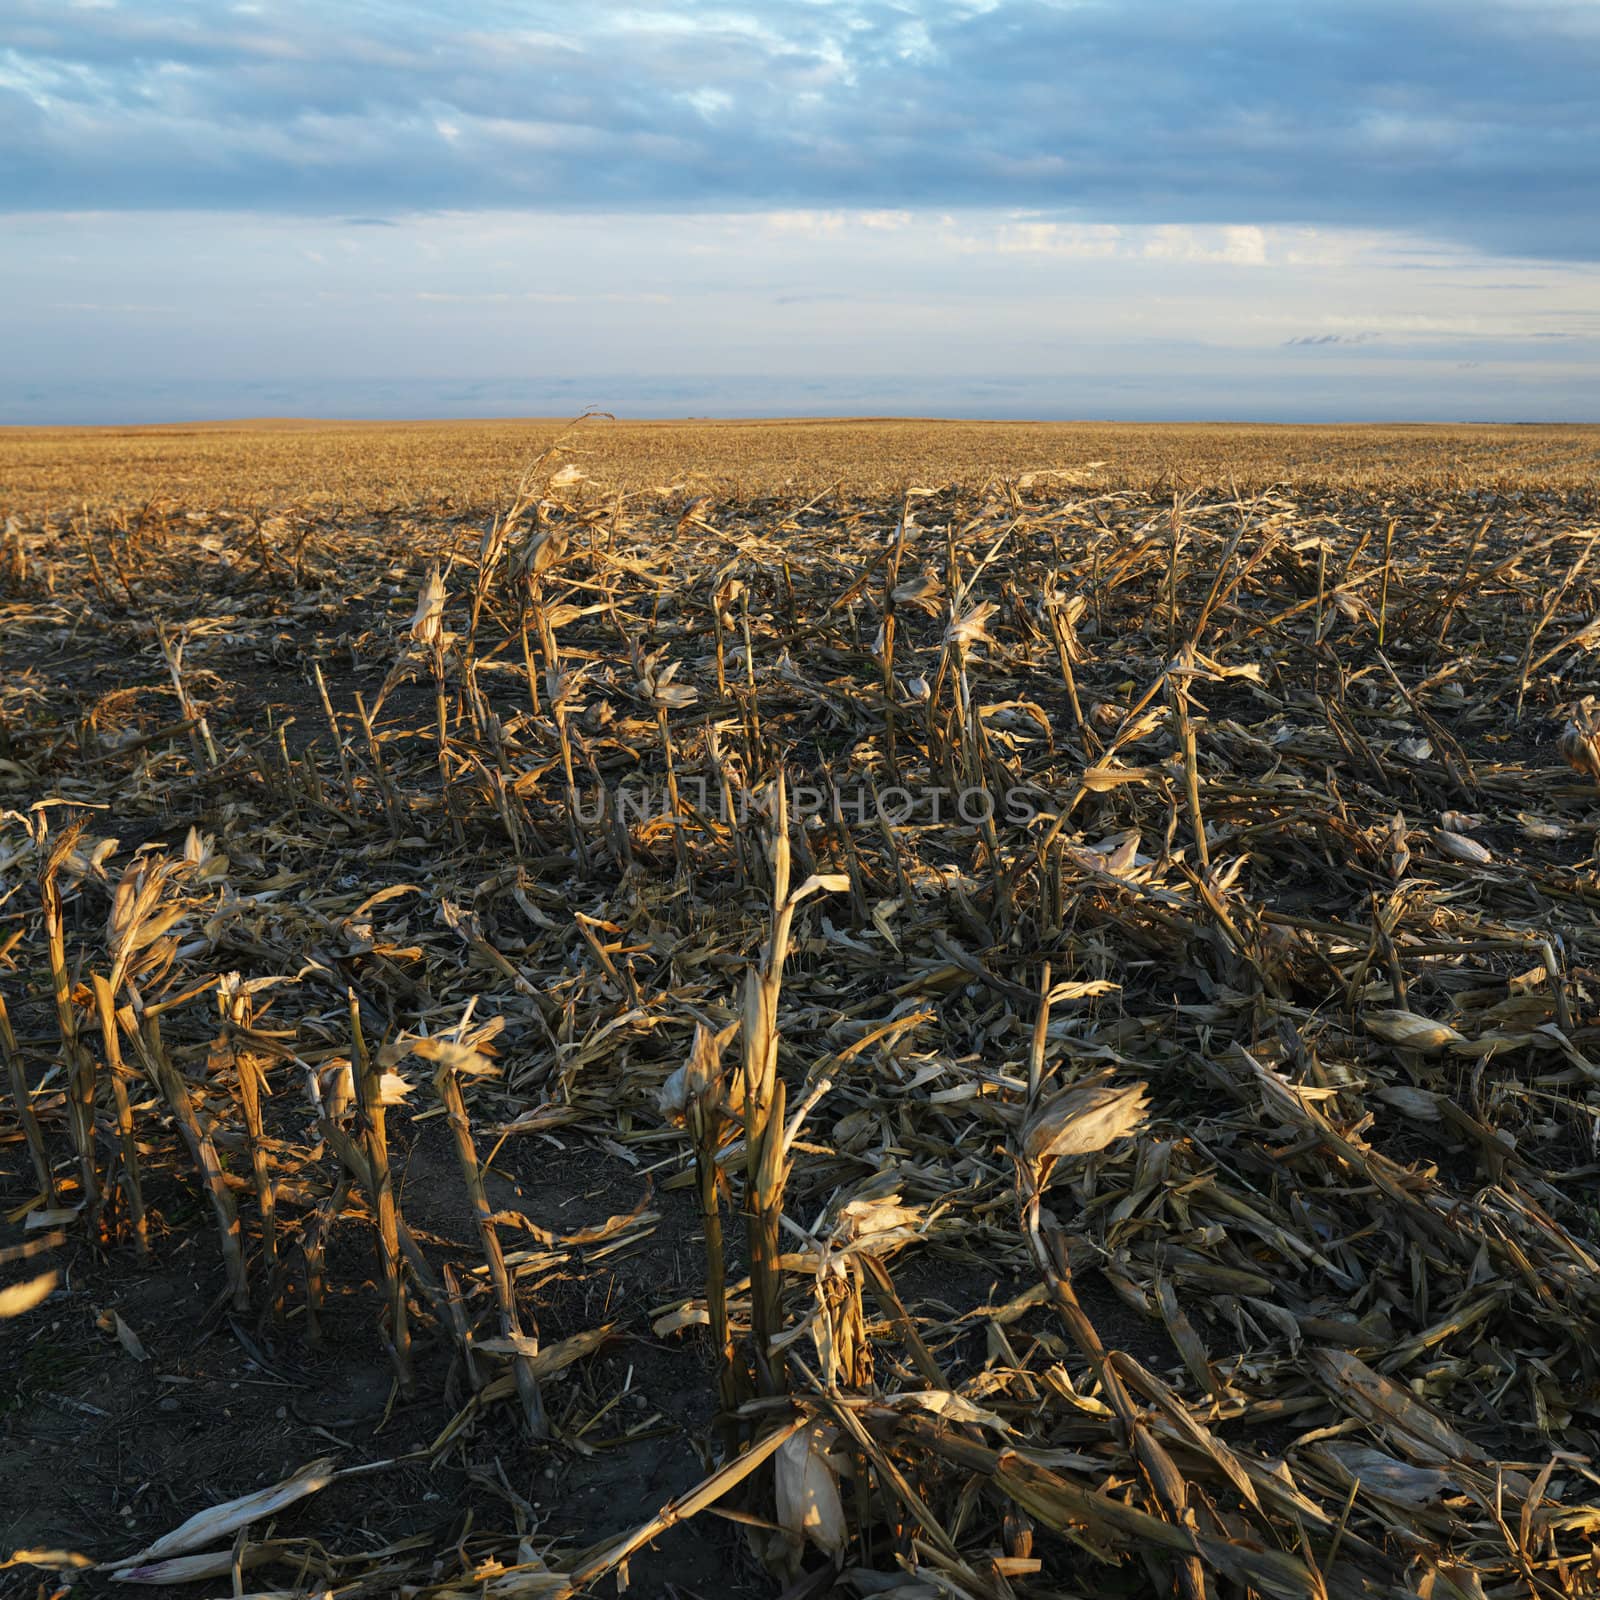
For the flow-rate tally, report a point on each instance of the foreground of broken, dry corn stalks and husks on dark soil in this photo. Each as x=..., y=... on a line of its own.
x=1010, y=1039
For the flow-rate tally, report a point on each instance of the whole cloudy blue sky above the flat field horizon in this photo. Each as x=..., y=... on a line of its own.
x=1281, y=210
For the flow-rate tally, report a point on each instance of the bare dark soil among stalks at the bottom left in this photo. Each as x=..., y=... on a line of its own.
x=103, y=1452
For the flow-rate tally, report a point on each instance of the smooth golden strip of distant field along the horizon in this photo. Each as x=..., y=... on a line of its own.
x=476, y=465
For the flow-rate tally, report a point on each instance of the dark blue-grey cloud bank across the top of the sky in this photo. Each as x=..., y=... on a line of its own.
x=1466, y=119
